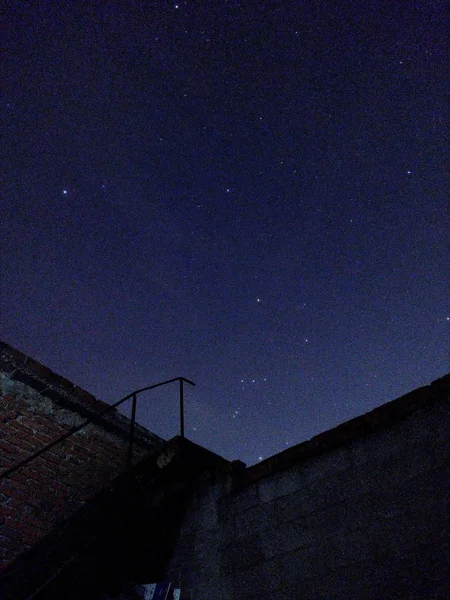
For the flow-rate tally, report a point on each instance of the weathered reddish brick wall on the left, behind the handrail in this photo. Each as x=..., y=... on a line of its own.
x=36, y=407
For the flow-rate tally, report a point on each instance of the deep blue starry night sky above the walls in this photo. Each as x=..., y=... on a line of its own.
x=248, y=194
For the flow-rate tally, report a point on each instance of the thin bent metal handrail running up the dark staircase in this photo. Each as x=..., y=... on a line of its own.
x=133, y=395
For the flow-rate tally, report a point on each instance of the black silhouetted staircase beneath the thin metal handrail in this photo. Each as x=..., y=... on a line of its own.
x=121, y=537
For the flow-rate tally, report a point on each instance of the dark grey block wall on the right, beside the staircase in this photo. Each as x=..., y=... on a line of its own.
x=357, y=512
